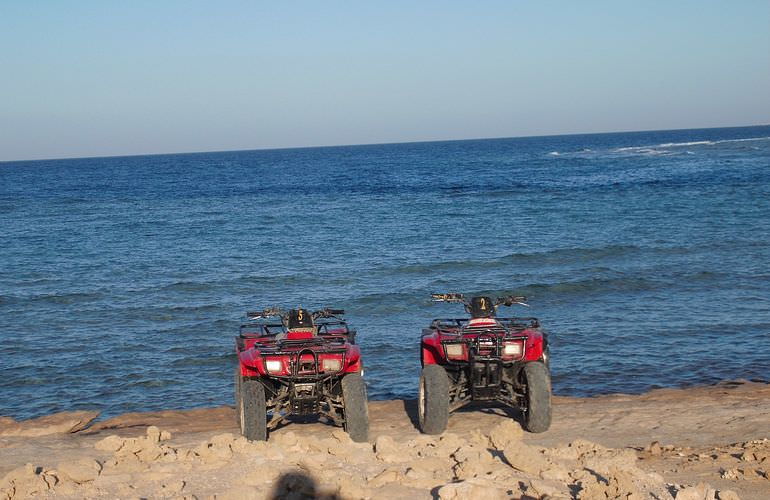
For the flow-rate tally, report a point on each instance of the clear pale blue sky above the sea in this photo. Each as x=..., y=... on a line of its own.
x=91, y=78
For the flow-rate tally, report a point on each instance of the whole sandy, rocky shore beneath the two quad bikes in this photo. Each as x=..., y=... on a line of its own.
x=694, y=443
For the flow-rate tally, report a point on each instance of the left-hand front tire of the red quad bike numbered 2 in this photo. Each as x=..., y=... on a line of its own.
x=433, y=400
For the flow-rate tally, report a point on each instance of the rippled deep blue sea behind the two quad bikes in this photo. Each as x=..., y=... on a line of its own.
x=123, y=280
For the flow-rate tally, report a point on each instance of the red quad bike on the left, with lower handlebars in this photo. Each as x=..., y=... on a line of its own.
x=299, y=363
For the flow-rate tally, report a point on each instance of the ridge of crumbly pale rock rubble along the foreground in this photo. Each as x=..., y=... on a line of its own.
x=493, y=464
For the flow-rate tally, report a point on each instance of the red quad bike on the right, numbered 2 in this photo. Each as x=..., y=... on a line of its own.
x=484, y=358
